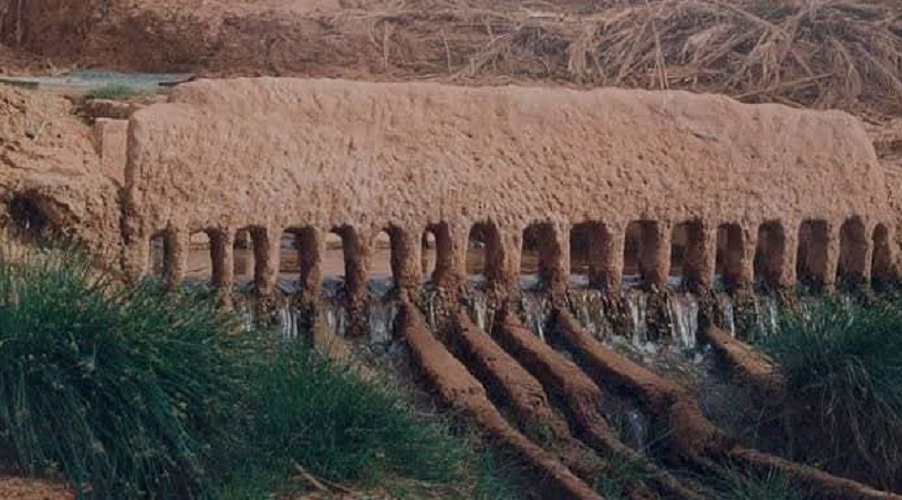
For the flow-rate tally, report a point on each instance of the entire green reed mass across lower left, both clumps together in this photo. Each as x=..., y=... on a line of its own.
x=132, y=391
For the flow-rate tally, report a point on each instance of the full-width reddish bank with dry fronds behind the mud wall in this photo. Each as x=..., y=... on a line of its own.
x=813, y=53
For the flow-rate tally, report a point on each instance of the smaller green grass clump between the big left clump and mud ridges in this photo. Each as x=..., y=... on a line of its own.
x=307, y=410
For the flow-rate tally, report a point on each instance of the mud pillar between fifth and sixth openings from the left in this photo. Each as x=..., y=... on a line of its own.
x=358, y=257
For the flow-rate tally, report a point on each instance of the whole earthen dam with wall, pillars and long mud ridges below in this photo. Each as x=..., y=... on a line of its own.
x=674, y=192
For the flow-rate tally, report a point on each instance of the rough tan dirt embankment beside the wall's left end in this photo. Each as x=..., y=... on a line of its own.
x=50, y=172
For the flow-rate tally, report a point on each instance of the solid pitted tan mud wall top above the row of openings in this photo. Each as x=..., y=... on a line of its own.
x=328, y=152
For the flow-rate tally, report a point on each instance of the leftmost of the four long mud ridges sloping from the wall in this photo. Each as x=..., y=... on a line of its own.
x=459, y=389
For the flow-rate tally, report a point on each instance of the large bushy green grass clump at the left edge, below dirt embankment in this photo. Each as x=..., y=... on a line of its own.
x=118, y=388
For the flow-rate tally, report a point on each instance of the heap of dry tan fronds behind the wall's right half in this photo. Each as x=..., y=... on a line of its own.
x=816, y=53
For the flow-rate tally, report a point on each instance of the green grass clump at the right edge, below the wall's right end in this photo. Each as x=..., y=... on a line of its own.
x=842, y=365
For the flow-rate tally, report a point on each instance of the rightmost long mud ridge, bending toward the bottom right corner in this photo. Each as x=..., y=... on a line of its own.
x=692, y=434
